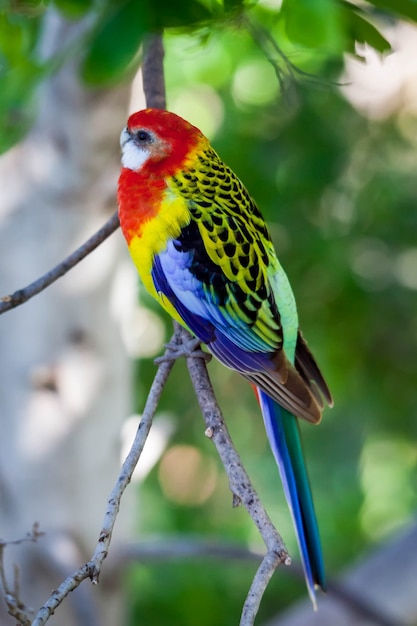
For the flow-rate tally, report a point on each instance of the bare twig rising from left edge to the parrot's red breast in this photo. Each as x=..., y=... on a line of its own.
x=23, y=295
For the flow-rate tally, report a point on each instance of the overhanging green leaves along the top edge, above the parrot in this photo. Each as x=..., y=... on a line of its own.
x=114, y=30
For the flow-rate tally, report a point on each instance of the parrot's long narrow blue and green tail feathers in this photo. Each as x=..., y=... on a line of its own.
x=285, y=441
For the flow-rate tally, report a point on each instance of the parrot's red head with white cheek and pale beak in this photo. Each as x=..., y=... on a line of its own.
x=157, y=143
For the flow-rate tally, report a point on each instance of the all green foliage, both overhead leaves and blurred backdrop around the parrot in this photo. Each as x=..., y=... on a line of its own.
x=339, y=192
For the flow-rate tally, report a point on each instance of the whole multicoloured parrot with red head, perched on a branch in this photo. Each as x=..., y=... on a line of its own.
x=203, y=251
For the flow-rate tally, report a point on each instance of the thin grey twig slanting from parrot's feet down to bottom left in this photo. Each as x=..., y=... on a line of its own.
x=92, y=569
